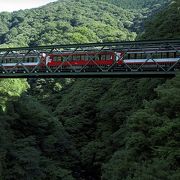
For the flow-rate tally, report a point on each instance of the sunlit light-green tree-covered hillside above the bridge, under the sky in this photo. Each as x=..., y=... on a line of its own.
x=59, y=23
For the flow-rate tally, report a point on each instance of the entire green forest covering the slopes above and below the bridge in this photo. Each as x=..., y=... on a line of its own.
x=90, y=129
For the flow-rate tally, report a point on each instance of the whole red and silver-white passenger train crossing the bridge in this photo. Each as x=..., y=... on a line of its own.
x=149, y=60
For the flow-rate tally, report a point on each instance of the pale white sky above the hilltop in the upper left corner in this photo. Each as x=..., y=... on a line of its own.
x=14, y=5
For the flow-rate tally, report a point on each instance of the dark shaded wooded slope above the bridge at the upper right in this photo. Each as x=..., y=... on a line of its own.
x=165, y=24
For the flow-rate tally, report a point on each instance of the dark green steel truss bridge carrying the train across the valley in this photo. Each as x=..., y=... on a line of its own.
x=20, y=70
